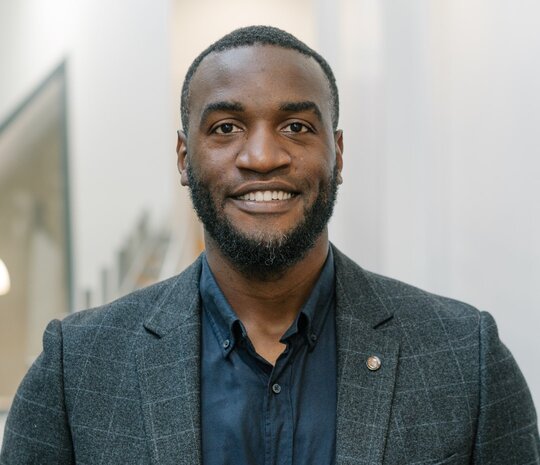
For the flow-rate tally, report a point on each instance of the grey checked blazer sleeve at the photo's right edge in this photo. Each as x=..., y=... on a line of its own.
x=507, y=426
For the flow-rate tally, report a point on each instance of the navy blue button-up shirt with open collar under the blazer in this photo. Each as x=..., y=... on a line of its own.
x=254, y=413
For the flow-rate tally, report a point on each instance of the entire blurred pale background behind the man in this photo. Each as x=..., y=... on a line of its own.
x=441, y=116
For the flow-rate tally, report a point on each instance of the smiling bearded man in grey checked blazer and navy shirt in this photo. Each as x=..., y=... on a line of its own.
x=273, y=347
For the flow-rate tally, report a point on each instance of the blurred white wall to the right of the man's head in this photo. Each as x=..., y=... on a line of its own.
x=441, y=109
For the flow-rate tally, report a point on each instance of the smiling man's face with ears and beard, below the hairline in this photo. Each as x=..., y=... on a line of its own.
x=261, y=159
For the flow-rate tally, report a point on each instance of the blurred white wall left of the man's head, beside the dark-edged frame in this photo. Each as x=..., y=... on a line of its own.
x=121, y=128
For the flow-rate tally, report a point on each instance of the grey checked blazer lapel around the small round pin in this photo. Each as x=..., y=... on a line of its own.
x=364, y=330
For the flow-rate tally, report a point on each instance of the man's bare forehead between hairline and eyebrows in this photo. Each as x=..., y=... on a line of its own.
x=259, y=76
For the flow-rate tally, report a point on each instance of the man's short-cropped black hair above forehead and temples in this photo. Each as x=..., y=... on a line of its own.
x=259, y=35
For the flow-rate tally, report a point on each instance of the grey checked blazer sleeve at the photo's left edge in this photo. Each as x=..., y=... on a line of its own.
x=37, y=429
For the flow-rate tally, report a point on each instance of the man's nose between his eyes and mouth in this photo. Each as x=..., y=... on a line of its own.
x=263, y=151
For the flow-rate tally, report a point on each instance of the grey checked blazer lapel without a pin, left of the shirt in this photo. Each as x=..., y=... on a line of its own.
x=168, y=366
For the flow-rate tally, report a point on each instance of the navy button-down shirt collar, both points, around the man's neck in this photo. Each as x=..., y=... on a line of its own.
x=228, y=328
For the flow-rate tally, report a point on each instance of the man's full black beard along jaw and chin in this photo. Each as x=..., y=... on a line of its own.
x=262, y=255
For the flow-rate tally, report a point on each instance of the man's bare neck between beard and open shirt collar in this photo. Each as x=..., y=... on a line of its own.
x=267, y=307
